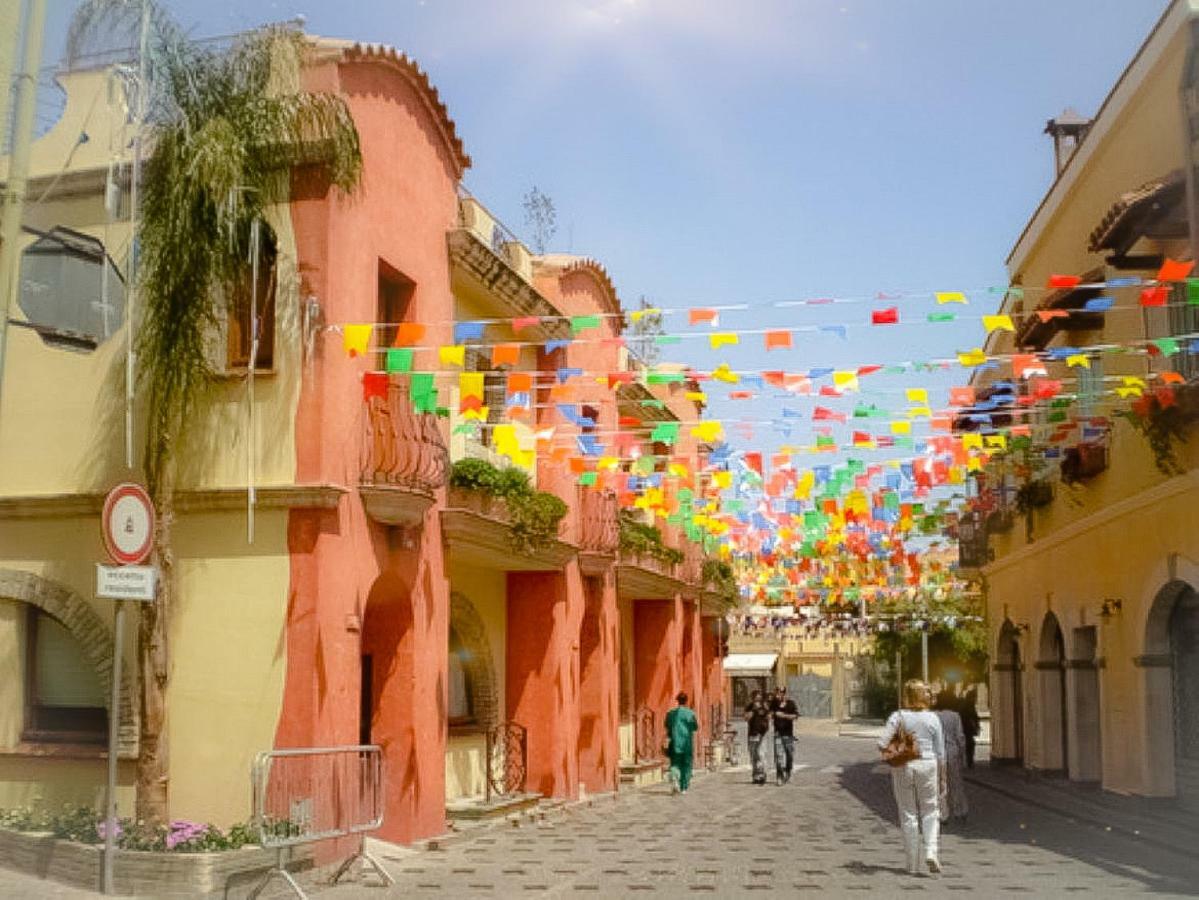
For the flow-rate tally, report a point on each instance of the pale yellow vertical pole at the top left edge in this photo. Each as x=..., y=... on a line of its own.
x=19, y=165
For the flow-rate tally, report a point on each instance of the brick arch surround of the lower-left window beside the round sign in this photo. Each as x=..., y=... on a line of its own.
x=88, y=629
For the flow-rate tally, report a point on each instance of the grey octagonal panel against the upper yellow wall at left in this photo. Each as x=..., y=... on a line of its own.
x=70, y=292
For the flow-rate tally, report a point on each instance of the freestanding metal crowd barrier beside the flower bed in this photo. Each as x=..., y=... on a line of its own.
x=303, y=796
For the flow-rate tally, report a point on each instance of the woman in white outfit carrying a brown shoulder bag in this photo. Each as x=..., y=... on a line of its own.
x=918, y=783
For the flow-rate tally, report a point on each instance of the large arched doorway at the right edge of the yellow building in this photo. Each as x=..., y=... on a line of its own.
x=1171, y=665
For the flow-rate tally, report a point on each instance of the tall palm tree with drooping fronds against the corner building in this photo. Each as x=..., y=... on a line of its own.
x=228, y=128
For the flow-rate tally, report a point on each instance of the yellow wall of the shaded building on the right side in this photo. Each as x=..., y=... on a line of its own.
x=1116, y=535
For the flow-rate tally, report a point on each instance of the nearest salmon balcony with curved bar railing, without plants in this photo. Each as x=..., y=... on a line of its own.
x=405, y=458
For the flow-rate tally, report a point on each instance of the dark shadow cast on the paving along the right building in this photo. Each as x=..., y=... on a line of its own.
x=997, y=819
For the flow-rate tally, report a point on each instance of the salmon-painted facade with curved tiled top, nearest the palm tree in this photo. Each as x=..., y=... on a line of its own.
x=356, y=589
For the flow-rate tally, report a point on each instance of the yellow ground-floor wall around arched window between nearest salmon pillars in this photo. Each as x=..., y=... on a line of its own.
x=487, y=593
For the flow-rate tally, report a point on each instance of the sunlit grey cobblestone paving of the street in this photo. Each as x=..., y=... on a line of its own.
x=830, y=831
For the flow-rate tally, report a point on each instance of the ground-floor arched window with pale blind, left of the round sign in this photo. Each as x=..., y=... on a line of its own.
x=64, y=697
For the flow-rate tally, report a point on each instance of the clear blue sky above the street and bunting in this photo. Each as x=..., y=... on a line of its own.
x=714, y=153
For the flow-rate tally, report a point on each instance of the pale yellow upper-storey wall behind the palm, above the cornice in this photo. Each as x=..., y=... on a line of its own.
x=64, y=410
